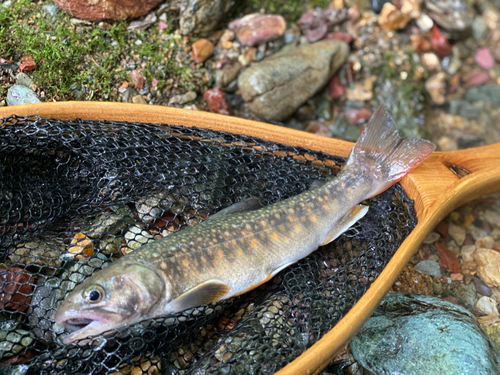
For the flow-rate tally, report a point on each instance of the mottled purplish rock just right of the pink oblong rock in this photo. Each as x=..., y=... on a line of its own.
x=315, y=23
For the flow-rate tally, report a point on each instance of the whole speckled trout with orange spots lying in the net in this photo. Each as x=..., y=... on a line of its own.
x=242, y=246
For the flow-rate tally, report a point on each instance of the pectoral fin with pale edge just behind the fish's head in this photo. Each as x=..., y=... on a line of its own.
x=202, y=294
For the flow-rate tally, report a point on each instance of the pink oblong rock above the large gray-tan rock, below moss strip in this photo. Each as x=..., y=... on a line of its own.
x=254, y=29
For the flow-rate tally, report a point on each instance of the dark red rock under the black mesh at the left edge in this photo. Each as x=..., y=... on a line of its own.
x=15, y=286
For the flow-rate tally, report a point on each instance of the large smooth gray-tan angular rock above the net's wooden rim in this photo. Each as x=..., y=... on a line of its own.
x=276, y=87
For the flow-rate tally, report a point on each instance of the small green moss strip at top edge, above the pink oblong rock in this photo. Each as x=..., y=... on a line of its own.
x=291, y=10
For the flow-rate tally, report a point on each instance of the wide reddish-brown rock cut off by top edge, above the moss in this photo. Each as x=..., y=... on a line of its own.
x=92, y=10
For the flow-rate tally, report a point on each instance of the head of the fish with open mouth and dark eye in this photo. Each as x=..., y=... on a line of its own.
x=122, y=294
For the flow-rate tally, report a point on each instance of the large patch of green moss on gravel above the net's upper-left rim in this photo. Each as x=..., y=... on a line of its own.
x=83, y=61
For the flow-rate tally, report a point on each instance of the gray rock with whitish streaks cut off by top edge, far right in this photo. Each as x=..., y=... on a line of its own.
x=452, y=15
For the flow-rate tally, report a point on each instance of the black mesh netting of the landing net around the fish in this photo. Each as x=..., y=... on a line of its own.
x=77, y=195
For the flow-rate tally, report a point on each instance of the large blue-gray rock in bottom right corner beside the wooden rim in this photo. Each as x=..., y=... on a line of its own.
x=416, y=334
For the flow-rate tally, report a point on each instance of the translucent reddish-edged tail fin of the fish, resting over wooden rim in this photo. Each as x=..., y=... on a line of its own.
x=387, y=156
